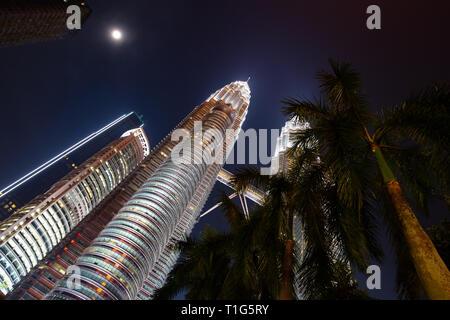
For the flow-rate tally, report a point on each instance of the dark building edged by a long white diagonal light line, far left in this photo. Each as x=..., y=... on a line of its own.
x=38, y=181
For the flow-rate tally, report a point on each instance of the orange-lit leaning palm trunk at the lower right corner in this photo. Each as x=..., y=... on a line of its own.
x=431, y=269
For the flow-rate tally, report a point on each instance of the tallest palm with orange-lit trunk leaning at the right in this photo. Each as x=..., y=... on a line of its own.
x=340, y=129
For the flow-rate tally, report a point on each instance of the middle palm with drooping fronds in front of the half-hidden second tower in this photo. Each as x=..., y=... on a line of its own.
x=331, y=232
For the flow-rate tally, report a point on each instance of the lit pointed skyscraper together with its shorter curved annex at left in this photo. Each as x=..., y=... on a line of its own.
x=143, y=202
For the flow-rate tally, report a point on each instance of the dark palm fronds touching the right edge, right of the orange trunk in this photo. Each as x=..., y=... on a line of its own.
x=416, y=137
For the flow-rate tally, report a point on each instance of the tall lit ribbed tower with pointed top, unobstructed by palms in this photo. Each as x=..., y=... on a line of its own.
x=133, y=254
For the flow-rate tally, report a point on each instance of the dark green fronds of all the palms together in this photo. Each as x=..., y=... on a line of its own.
x=335, y=191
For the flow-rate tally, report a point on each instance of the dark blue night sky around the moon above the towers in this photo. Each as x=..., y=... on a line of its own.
x=176, y=53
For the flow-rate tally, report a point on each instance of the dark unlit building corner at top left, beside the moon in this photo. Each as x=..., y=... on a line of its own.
x=25, y=21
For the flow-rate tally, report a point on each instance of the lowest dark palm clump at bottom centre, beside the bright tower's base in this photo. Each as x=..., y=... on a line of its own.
x=226, y=265
